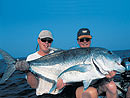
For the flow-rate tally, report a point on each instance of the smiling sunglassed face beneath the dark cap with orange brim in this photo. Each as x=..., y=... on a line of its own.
x=84, y=42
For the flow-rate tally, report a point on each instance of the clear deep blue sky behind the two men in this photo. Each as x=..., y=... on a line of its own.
x=22, y=20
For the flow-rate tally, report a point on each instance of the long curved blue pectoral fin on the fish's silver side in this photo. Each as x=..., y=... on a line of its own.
x=80, y=68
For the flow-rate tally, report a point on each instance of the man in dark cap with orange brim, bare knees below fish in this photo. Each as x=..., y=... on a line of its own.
x=106, y=84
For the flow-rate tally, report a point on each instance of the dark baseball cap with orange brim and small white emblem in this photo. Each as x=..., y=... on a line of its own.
x=84, y=33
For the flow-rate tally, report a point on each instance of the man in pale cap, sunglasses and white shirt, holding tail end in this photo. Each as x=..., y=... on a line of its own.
x=44, y=40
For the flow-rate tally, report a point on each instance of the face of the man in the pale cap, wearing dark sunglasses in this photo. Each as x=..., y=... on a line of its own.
x=45, y=43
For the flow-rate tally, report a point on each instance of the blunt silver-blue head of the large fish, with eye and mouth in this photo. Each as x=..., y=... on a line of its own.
x=107, y=61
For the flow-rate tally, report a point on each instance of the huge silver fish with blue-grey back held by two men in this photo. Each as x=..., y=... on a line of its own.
x=74, y=65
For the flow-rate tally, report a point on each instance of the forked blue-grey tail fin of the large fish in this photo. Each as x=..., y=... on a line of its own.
x=10, y=61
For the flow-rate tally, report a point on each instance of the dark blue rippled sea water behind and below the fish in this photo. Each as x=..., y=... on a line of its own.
x=16, y=86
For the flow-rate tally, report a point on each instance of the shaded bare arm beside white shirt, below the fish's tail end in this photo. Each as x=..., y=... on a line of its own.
x=32, y=80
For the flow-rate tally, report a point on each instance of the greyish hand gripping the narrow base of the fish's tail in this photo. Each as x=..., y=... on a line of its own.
x=22, y=65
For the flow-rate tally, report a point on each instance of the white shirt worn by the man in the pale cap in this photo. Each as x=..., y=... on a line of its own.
x=43, y=86
